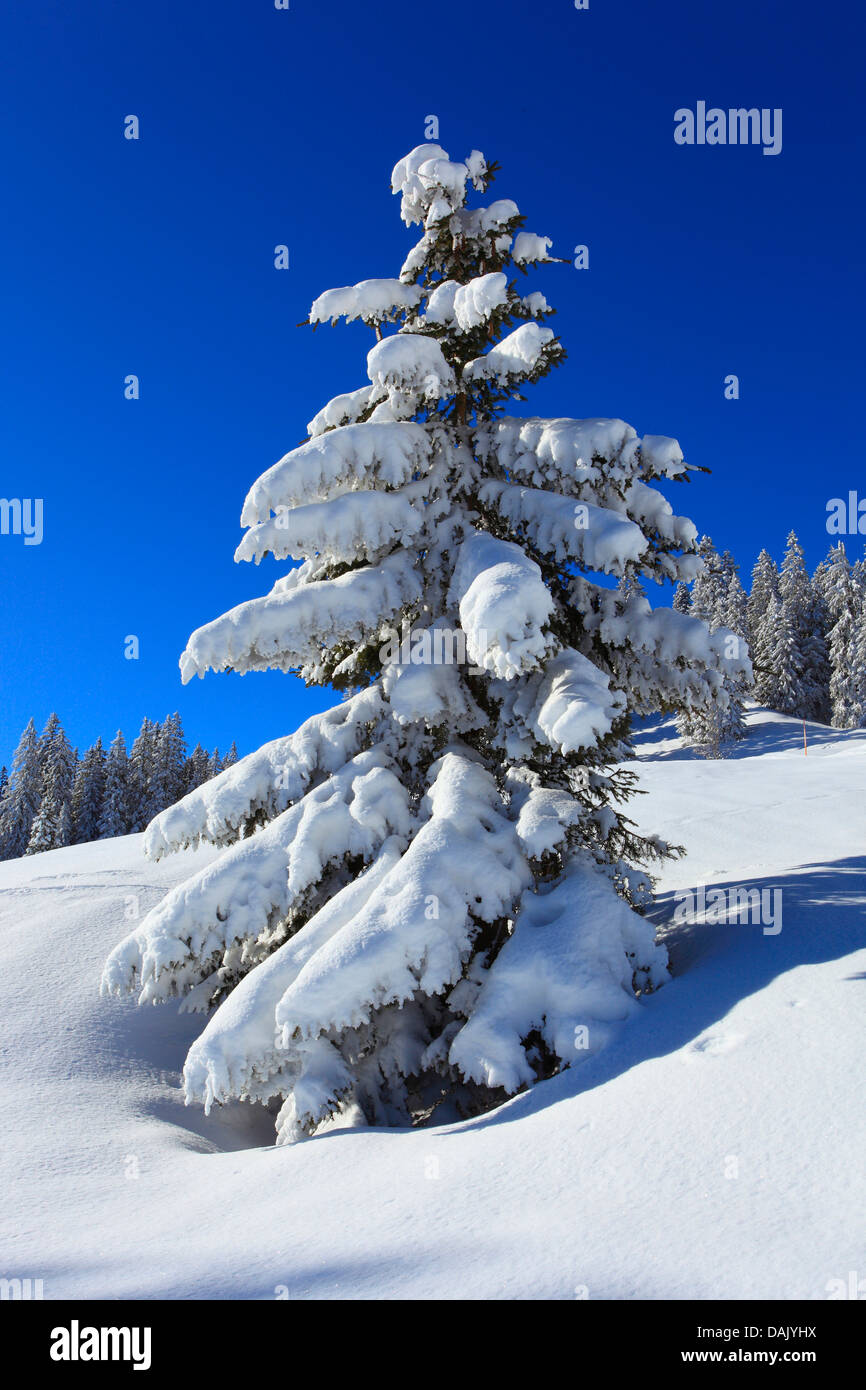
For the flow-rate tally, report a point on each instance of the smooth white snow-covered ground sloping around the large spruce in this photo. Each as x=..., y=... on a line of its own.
x=714, y=1150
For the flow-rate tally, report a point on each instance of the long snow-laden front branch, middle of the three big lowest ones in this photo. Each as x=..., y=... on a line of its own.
x=400, y=929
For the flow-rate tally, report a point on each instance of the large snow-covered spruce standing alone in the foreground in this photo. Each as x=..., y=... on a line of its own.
x=429, y=889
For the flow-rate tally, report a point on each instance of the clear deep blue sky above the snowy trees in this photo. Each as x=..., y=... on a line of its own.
x=263, y=127
